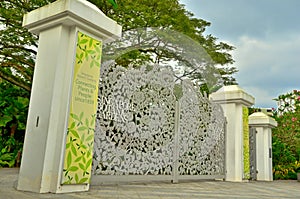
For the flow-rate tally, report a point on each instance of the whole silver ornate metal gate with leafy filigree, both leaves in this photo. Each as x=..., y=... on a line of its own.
x=144, y=130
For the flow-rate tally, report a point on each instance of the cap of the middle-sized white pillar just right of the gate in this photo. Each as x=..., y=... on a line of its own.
x=232, y=94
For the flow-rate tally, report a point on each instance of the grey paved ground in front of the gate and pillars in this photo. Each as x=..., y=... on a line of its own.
x=185, y=190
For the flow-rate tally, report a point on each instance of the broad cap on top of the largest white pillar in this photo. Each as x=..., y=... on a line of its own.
x=80, y=13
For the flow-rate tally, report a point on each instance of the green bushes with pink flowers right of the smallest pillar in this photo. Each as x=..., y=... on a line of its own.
x=286, y=136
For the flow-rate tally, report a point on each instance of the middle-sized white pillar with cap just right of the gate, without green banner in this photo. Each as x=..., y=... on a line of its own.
x=232, y=99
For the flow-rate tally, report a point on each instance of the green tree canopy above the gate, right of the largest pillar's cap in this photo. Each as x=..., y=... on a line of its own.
x=170, y=15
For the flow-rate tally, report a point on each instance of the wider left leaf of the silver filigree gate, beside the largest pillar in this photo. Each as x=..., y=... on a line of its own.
x=135, y=121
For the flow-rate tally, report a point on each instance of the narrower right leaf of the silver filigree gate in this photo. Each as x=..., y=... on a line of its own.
x=202, y=135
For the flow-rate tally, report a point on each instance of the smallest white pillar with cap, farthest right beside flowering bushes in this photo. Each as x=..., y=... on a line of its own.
x=263, y=125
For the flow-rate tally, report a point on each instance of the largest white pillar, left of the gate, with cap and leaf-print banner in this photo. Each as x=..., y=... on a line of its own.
x=60, y=85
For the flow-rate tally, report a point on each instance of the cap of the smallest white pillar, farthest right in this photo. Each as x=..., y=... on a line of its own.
x=260, y=119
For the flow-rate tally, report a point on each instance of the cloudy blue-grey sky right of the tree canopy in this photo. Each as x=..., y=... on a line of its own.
x=266, y=35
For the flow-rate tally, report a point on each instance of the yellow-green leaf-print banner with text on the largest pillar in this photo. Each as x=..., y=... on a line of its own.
x=83, y=108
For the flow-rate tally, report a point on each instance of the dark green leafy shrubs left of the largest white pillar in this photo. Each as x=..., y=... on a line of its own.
x=13, y=113
